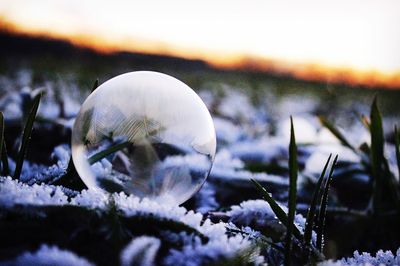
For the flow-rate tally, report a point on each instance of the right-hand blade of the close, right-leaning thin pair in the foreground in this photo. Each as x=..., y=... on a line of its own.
x=323, y=206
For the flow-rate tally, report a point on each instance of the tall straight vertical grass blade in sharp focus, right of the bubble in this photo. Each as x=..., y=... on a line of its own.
x=293, y=170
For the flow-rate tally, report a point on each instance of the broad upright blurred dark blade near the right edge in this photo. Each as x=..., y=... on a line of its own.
x=377, y=157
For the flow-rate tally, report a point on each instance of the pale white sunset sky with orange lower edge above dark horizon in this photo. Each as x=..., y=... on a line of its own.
x=358, y=35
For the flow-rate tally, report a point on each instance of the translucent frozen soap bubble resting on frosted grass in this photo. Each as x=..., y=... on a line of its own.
x=146, y=134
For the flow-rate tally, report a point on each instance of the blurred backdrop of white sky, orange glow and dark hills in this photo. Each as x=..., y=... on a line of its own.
x=351, y=43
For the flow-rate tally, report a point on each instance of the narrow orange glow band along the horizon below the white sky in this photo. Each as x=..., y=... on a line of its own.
x=229, y=61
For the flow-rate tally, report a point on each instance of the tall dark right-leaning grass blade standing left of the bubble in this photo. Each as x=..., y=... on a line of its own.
x=26, y=135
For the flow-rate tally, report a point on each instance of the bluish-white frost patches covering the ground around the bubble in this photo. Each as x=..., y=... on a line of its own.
x=249, y=137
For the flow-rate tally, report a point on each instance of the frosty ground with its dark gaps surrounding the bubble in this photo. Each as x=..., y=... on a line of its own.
x=225, y=223
